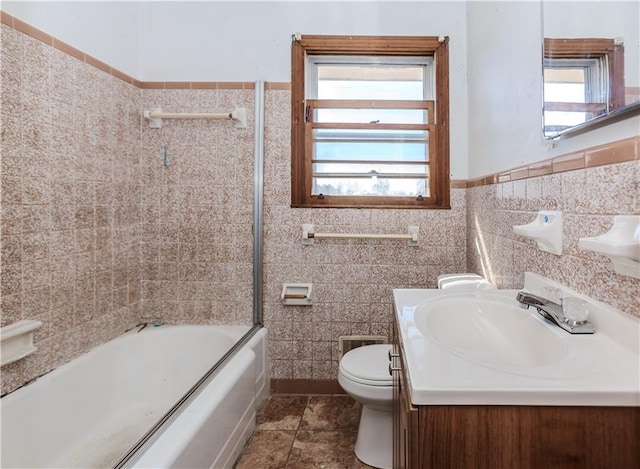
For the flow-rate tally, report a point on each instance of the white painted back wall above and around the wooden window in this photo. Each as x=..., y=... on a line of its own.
x=246, y=41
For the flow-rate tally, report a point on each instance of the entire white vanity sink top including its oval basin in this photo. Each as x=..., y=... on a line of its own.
x=481, y=348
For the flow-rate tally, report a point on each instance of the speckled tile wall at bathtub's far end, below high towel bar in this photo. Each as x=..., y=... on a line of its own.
x=197, y=210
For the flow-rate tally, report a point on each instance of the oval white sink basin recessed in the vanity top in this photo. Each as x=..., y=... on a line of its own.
x=491, y=330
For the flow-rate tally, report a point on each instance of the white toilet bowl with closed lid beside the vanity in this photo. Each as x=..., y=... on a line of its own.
x=364, y=375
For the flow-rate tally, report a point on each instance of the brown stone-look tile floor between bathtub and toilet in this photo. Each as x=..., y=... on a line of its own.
x=304, y=432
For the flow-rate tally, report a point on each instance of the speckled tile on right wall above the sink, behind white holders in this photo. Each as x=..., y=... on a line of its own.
x=588, y=197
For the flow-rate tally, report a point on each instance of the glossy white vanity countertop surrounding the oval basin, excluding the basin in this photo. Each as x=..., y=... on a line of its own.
x=601, y=369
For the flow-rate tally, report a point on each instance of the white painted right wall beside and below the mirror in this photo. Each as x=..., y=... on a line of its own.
x=505, y=91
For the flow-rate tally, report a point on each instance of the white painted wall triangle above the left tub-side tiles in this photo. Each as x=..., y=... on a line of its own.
x=107, y=31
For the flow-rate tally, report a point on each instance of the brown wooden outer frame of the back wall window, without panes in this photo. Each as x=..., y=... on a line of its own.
x=301, y=166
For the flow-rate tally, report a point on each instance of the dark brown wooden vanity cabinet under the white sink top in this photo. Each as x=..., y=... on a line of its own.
x=509, y=437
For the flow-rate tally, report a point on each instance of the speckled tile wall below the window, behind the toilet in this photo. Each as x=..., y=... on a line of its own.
x=352, y=279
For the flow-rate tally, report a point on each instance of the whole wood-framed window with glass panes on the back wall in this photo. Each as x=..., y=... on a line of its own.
x=370, y=123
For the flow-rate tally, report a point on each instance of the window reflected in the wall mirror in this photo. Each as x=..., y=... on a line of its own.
x=583, y=79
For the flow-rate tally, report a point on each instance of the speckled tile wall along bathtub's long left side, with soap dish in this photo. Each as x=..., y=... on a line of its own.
x=70, y=202
